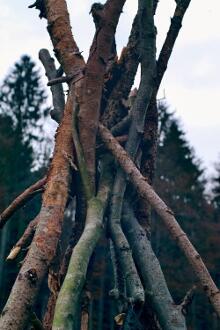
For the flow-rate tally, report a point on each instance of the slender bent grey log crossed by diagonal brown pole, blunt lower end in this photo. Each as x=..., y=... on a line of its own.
x=138, y=111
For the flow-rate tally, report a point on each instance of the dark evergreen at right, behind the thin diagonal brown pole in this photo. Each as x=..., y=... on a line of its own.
x=180, y=182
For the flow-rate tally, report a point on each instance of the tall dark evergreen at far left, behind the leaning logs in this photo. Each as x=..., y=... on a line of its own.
x=22, y=114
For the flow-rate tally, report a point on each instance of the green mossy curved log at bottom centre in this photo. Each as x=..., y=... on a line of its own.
x=67, y=305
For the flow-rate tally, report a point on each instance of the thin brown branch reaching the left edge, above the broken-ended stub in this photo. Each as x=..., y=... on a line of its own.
x=21, y=200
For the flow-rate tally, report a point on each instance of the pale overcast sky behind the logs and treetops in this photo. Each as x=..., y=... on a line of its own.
x=192, y=81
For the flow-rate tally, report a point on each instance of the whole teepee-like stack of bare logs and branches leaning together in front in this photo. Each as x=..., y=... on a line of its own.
x=104, y=155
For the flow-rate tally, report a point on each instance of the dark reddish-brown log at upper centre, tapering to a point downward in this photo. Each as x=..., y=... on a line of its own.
x=89, y=96
